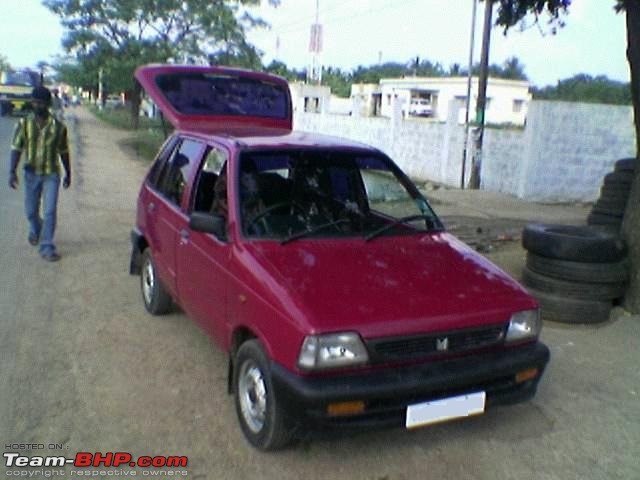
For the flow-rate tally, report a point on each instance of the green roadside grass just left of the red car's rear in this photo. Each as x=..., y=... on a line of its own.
x=144, y=142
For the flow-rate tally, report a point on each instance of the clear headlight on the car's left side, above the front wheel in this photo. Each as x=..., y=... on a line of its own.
x=331, y=351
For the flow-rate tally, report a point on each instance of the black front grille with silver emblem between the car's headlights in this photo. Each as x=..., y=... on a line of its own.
x=418, y=346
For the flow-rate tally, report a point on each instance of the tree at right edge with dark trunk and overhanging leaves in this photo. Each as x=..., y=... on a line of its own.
x=510, y=12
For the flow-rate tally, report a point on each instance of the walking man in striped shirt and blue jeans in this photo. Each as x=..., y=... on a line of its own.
x=43, y=138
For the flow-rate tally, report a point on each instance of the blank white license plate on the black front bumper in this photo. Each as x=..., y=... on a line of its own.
x=427, y=413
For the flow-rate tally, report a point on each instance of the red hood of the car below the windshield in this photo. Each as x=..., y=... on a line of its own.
x=390, y=285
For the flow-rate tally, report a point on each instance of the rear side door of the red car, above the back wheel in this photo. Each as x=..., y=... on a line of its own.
x=166, y=217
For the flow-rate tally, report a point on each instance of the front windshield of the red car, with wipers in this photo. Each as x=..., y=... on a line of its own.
x=316, y=193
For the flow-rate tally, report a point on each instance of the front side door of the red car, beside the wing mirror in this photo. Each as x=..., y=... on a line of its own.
x=203, y=258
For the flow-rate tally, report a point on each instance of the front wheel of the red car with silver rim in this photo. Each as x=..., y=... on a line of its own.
x=262, y=419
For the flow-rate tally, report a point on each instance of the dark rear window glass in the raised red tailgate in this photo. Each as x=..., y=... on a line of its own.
x=224, y=94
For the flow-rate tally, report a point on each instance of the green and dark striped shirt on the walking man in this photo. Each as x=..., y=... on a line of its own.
x=43, y=145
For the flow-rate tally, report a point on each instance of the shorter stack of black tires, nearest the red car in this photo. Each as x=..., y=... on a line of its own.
x=577, y=273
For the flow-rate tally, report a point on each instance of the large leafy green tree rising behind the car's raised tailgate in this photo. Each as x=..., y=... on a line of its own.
x=116, y=36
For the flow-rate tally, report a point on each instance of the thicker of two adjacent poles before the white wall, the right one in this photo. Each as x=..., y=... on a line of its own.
x=476, y=162
